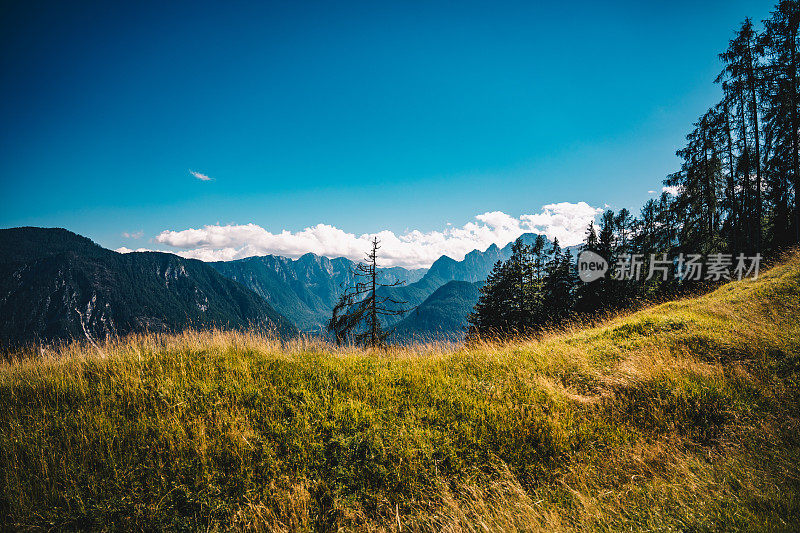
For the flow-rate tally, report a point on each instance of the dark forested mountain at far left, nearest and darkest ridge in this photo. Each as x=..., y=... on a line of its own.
x=56, y=285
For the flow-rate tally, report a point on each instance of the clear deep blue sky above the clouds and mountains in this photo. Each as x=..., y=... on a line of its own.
x=366, y=116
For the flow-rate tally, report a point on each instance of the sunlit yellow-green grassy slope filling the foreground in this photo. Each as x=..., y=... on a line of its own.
x=682, y=416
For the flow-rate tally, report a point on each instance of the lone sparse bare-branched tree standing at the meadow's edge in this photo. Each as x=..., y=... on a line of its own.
x=357, y=314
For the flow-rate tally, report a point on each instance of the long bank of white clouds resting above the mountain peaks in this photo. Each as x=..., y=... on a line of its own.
x=412, y=249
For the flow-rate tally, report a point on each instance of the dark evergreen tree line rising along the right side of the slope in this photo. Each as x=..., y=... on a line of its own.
x=735, y=192
